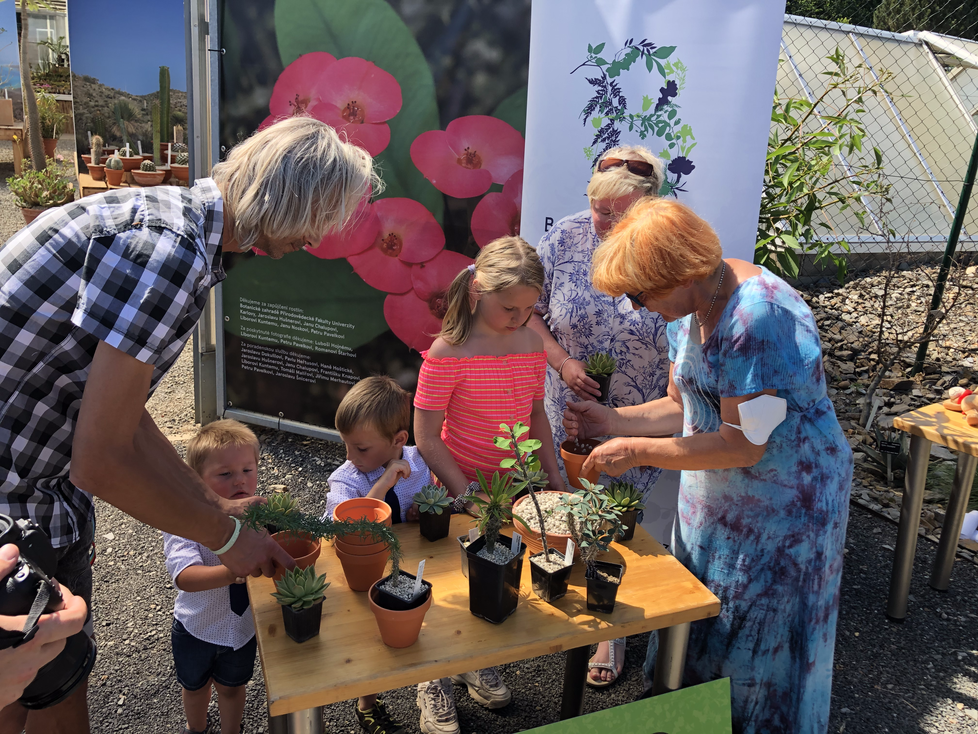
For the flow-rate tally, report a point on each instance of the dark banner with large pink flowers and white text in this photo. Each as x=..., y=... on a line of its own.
x=435, y=92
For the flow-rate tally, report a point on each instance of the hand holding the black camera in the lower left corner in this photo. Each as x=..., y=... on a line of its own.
x=18, y=666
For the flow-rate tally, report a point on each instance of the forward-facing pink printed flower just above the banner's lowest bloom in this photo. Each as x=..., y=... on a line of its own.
x=408, y=234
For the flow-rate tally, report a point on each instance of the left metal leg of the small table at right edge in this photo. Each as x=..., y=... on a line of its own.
x=913, y=501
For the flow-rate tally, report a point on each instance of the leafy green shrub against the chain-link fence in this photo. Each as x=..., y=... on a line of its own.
x=804, y=175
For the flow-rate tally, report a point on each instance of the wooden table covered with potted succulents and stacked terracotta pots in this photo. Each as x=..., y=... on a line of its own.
x=348, y=659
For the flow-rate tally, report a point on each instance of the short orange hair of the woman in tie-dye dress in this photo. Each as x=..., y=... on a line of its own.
x=659, y=245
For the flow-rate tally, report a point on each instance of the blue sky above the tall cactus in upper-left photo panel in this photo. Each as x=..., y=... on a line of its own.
x=129, y=59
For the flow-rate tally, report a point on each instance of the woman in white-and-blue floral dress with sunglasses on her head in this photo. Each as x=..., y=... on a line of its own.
x=576, y=321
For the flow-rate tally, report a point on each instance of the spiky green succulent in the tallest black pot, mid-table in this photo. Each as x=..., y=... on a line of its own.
x=494, y=569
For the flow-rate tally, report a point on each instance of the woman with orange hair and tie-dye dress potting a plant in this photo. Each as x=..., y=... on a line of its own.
x=762, y=519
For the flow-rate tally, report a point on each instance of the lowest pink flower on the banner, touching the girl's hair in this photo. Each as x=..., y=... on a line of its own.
x=415, y=317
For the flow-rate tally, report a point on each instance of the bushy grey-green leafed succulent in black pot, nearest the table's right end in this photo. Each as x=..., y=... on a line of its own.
x=594, y=523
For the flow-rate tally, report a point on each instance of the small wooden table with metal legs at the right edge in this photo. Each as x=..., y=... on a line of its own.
x=928, y=425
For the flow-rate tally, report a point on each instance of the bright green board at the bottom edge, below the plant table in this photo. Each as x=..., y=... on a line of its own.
x=702, y=709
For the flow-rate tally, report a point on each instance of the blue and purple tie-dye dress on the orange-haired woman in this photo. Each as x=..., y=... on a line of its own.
x=768, y=540
